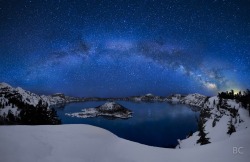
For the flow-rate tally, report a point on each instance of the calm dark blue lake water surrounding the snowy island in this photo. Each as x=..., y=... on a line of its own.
x=154, y=124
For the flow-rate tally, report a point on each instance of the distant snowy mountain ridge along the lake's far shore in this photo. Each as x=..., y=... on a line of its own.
x=60, y=99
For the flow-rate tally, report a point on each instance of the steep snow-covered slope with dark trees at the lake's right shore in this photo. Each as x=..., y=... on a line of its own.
x=216, y=125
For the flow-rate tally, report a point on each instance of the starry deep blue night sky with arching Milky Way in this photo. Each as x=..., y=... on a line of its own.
x=122, y=48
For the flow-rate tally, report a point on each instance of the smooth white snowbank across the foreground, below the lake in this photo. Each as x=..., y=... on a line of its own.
x=71, y=143
